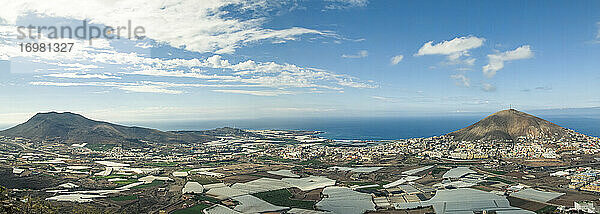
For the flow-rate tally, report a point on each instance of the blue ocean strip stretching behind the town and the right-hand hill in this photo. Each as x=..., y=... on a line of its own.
x=367, y=128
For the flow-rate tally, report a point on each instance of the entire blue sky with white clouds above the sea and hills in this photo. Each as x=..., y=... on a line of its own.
x=236, y=59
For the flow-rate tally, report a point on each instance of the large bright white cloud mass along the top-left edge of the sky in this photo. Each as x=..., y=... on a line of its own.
x=199, y=26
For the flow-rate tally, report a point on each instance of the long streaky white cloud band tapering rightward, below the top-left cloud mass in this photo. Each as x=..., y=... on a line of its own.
x=93, y=59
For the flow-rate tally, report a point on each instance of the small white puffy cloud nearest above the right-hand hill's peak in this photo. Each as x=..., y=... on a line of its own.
x=496, y=61
